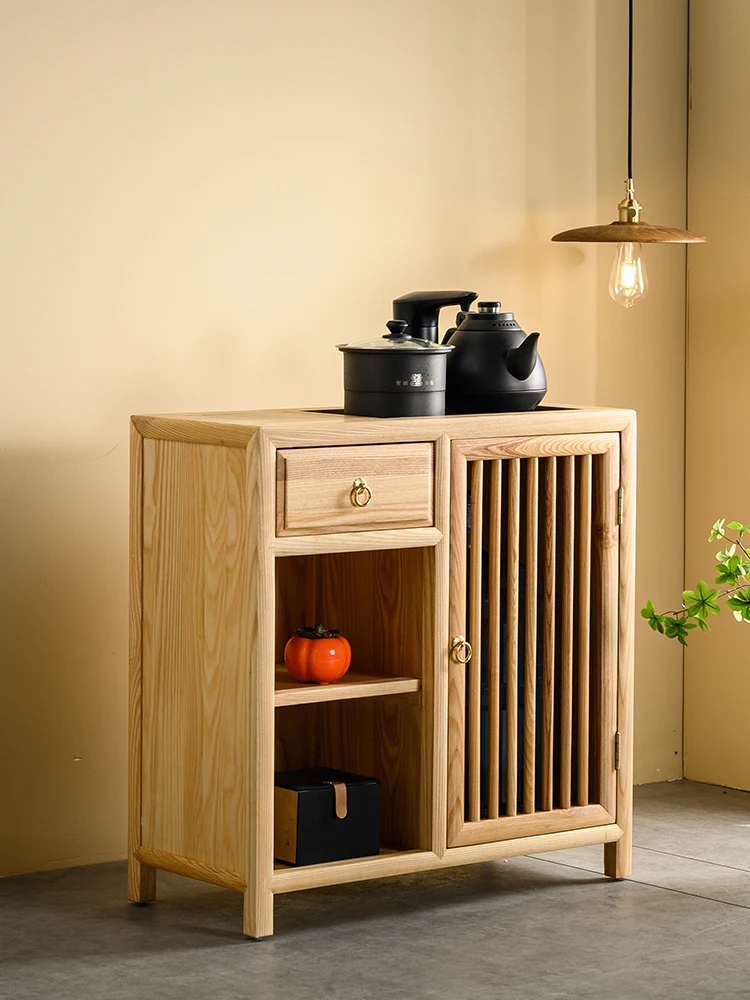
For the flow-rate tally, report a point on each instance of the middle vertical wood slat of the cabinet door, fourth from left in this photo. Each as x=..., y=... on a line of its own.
x=529, y=723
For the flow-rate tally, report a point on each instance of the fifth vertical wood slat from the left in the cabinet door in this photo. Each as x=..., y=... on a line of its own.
x=548, y=674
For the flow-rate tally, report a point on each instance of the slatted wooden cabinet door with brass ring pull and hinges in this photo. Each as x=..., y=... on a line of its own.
x=533, y=618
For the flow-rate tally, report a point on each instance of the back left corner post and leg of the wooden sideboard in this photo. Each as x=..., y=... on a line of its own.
x=141, y=878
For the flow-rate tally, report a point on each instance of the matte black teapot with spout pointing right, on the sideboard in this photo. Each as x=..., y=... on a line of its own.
x=494, y=367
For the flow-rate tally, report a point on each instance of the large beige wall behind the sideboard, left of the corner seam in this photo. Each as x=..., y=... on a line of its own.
x=201, y=199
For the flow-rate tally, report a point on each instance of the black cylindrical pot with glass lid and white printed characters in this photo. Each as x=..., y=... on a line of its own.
x=396, y=375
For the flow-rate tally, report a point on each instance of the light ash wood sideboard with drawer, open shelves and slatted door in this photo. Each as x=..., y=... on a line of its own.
x=484, y=578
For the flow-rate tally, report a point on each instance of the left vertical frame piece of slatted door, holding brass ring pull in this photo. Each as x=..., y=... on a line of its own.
x=457, y=672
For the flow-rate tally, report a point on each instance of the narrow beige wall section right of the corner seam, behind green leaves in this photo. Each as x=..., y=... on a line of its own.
x=717, y=678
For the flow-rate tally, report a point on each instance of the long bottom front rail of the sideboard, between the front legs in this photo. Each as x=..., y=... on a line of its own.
x=406, y=862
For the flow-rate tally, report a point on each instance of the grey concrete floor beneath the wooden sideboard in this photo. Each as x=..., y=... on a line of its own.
x=549, y=926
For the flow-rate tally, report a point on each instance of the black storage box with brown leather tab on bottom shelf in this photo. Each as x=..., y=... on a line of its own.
x=307, y=829
